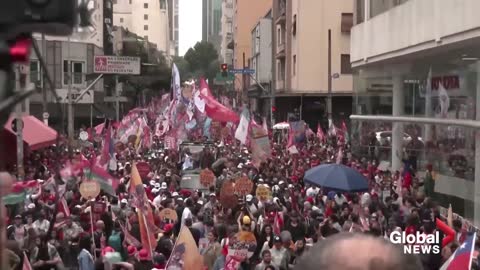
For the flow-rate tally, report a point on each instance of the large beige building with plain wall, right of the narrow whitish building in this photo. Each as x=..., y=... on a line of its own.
x=300, y=66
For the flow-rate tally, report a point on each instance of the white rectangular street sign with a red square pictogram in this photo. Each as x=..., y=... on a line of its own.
x=110, y=64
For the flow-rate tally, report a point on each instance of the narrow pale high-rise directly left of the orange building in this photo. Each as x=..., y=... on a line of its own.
x=226, y=45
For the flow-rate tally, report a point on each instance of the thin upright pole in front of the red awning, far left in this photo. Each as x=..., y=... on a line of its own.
x=19, y=126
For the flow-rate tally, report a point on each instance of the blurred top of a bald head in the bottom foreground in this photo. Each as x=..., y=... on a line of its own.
x=348, y=251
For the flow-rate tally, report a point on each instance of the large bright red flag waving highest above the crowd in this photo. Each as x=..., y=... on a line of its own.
x=214, y=109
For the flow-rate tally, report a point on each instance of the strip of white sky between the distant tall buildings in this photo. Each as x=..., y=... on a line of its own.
x=190, y=24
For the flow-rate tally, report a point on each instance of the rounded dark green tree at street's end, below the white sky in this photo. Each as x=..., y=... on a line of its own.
x=203, y=60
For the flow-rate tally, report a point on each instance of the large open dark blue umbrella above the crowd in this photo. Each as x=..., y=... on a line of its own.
x=336, y=177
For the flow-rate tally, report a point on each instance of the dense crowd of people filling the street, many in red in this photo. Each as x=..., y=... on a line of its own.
x=288, y=225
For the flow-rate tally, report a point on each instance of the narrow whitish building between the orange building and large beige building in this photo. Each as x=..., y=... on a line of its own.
x=259, y=91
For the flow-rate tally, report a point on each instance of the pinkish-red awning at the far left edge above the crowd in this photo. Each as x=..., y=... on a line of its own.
x=36, y=134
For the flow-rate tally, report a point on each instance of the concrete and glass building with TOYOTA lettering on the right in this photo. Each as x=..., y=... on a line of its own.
x=418, y=61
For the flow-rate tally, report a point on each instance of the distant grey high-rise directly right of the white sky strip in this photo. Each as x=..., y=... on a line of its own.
x=212, y=22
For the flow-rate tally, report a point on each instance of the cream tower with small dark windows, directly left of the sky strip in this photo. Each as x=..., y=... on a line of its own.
x=148, y=19
